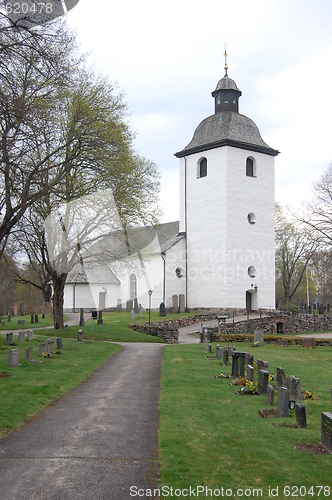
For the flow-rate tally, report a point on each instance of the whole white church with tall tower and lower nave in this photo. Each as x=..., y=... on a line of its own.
x=221, y=252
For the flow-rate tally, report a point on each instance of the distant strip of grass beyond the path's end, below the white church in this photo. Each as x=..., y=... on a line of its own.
x=114, y=328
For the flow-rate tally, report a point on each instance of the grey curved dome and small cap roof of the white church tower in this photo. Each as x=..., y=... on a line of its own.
x=227, y=129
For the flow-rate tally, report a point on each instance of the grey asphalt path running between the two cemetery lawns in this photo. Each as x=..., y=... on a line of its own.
x=95, y=442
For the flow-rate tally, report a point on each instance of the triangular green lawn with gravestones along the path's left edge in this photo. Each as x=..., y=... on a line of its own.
x=30, y=387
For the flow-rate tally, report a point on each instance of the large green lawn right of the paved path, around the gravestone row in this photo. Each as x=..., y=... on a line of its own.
x=211, y=436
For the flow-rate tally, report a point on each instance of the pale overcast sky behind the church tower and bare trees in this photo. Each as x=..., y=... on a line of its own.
x=168, y=57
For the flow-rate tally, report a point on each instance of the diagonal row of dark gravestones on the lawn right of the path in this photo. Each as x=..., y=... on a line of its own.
x=287, y=387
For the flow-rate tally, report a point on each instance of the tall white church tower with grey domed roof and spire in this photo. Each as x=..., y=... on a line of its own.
x=227, y=209
